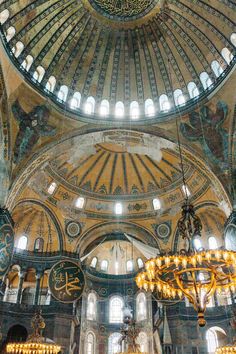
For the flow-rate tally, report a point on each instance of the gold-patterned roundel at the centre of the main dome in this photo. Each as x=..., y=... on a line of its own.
x=126, y=8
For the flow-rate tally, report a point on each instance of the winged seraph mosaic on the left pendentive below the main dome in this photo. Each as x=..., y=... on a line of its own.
x=32, y=126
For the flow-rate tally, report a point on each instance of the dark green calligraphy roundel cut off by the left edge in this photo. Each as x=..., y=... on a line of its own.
x=6, y=241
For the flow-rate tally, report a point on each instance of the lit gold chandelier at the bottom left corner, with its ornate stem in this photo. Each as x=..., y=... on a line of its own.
x=35, y=344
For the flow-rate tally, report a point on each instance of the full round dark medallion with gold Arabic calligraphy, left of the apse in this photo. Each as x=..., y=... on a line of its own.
x=66, y=281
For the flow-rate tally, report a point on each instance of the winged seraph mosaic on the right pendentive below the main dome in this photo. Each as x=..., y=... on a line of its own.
x=206, y=126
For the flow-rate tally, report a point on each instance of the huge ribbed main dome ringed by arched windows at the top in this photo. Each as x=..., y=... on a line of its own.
x=123, y=59
